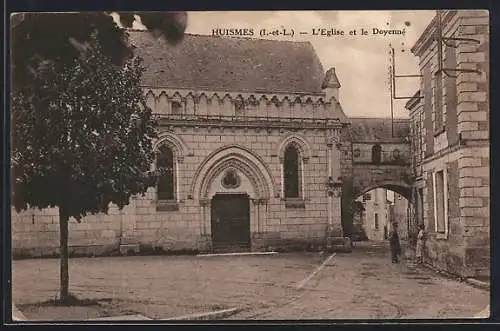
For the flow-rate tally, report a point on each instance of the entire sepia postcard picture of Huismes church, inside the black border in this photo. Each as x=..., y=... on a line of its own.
x=250, y=165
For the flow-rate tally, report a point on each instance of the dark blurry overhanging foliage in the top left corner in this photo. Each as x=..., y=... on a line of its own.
x=38, y=38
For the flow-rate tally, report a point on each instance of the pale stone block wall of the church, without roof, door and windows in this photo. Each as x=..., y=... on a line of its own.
x=195, y=143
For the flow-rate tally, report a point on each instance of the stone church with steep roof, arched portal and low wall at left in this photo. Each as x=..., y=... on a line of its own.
x=253, y=147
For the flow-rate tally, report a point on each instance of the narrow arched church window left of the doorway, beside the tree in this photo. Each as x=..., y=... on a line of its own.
x=166, y=180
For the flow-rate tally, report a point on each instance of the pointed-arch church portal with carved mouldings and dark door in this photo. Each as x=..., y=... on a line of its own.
x=226, y=181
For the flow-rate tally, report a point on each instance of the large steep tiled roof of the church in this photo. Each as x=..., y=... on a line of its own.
x=229, y=64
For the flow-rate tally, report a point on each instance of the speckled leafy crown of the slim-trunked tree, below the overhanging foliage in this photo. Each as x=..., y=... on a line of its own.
x=82, y=136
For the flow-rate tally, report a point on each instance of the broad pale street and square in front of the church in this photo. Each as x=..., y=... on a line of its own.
x=357, y=285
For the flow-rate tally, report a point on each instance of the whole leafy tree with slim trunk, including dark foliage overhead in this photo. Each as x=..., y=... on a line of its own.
x=82, y=133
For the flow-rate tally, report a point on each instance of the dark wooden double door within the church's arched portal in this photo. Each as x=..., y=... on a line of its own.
x=230, y=222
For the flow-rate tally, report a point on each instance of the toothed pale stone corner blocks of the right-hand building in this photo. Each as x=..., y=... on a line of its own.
x=473, y=126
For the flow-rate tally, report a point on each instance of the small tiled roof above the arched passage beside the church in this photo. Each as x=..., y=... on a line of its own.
x=371, y=129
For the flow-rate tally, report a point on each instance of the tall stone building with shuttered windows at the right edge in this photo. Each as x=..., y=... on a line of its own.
x=450, y=142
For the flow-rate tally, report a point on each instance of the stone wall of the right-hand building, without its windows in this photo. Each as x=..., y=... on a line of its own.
x=461, y=146
